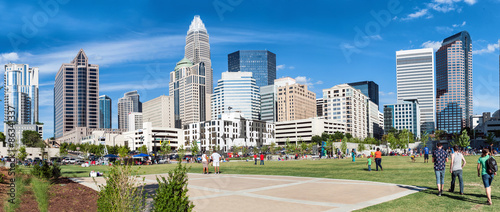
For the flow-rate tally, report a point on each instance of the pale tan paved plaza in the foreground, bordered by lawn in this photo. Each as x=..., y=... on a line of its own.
x=227, y=192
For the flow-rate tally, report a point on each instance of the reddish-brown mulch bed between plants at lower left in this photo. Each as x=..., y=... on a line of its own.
x=65, y=195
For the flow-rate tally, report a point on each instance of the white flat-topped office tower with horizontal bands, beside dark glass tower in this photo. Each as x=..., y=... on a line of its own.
x=415, y=80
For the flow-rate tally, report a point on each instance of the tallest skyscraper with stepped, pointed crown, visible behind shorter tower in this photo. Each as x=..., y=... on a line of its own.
x=197, y=50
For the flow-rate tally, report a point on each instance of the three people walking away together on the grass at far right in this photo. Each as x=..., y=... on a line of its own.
x=440, y=158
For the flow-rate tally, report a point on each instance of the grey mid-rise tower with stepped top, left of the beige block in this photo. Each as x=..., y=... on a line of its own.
x=130, y=102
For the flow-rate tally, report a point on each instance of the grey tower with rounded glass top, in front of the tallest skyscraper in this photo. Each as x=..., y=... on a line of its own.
x=187, y=86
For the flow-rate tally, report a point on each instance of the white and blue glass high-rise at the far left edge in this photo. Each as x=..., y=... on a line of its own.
x=21, y=93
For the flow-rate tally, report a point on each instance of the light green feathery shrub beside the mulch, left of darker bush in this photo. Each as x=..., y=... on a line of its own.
x=122, y=192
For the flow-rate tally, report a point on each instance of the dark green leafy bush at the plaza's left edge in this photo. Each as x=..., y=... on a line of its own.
x=171, y=194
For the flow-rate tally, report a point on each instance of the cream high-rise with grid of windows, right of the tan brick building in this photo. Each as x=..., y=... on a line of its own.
x=348, y=105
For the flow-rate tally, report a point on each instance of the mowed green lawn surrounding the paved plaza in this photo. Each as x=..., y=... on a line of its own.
x=398, y=170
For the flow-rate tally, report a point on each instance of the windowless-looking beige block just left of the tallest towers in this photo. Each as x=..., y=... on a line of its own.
x=159, y=111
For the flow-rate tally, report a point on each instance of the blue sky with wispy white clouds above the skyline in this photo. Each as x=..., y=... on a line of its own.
x=320, y=43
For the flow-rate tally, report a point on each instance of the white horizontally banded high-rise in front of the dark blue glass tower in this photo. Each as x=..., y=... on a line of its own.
x=236, y=91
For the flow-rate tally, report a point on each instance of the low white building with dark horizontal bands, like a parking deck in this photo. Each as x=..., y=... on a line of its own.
x=303, y=130
